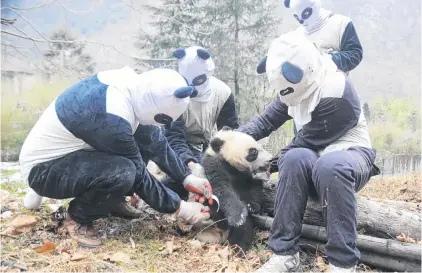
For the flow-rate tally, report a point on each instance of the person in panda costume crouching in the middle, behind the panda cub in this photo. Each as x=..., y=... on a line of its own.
x=212, y=106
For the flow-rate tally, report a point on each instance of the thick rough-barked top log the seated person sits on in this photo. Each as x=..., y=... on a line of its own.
x=374, y=217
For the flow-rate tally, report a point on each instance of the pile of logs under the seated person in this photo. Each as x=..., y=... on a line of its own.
x=384, y=221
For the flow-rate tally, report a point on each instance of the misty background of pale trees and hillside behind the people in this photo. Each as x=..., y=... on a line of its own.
x=48, y=45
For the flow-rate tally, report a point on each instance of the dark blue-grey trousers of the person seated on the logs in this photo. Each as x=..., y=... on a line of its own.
x=333, y=178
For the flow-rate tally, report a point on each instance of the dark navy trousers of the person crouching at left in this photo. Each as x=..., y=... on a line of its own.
x=97, y=181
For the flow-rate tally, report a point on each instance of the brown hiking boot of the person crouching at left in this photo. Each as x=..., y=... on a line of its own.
x=85, y=235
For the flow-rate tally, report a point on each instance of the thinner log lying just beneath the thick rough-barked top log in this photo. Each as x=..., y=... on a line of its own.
x=391, y=248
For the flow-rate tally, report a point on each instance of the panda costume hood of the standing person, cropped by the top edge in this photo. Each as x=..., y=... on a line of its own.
x=308, y=13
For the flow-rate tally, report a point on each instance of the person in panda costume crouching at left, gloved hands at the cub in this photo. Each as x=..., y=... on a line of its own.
x=87, y=145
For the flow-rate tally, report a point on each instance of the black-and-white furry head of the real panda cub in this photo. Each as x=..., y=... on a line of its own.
x=240, y=151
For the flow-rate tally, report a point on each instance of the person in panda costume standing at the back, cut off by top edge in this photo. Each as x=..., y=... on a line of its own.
x=334, y=34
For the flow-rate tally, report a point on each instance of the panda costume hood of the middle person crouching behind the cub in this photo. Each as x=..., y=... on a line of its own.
x=197, y=67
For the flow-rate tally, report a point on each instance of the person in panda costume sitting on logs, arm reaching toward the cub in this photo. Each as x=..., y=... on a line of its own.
x=330, y=157
